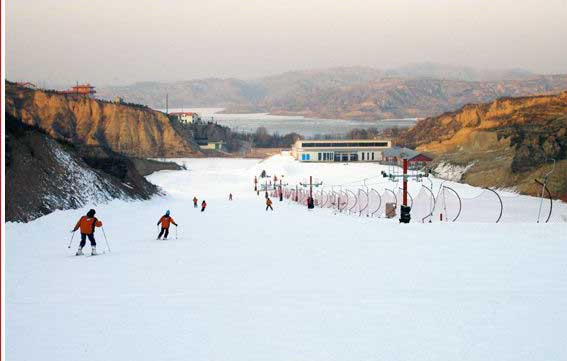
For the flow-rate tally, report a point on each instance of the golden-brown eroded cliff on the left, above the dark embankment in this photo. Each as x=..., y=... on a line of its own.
x=128, y=129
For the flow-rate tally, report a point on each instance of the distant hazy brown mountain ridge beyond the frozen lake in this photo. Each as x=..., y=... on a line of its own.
x=415, y=90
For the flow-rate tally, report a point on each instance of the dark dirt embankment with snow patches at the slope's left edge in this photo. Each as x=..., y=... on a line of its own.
x=44, y=174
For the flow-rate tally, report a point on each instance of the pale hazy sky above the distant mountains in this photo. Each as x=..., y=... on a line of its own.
x=122, y=41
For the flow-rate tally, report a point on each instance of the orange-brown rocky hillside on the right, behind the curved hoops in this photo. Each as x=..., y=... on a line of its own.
x=505, y=143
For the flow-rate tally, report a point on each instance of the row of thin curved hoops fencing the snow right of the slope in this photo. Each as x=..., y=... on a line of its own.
x=429, y=203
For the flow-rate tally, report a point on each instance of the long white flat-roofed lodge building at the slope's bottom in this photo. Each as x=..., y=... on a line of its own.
x=340, y=150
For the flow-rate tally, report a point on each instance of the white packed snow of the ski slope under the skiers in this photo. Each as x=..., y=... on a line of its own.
x=240, y=283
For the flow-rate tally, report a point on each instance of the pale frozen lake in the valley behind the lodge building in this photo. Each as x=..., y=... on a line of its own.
x=284, y=124
